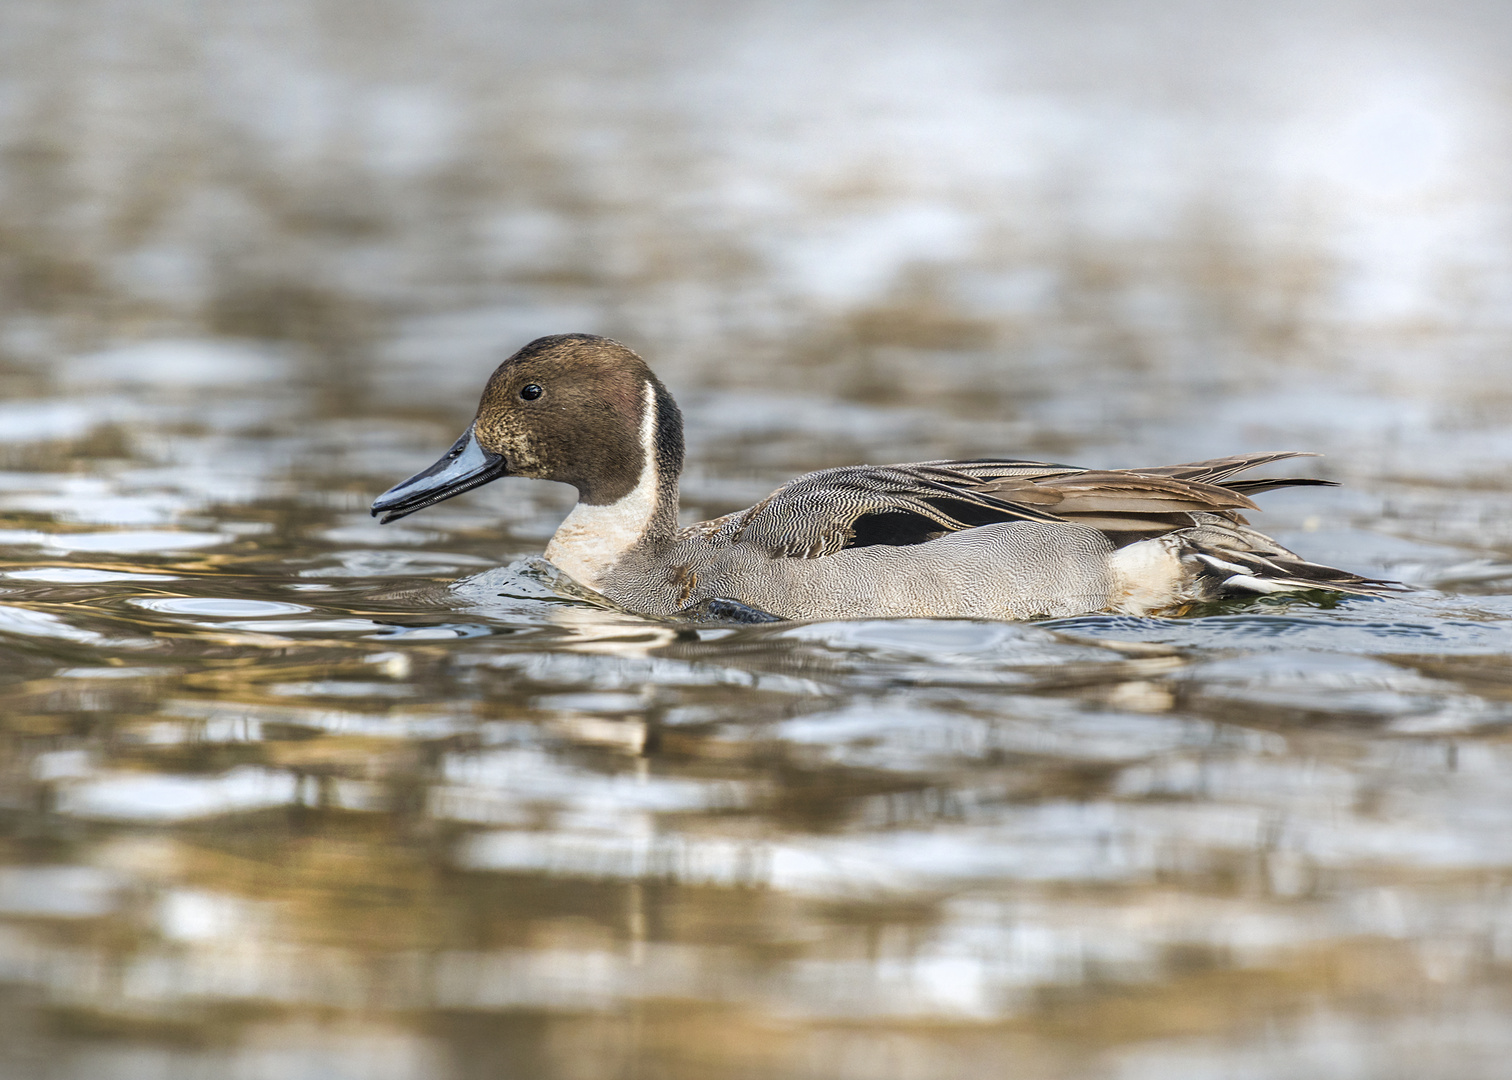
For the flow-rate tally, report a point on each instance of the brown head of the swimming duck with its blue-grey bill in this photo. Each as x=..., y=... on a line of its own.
x=578, y=409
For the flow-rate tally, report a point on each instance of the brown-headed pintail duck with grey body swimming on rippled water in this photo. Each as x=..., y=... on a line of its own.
x=965, y=539
